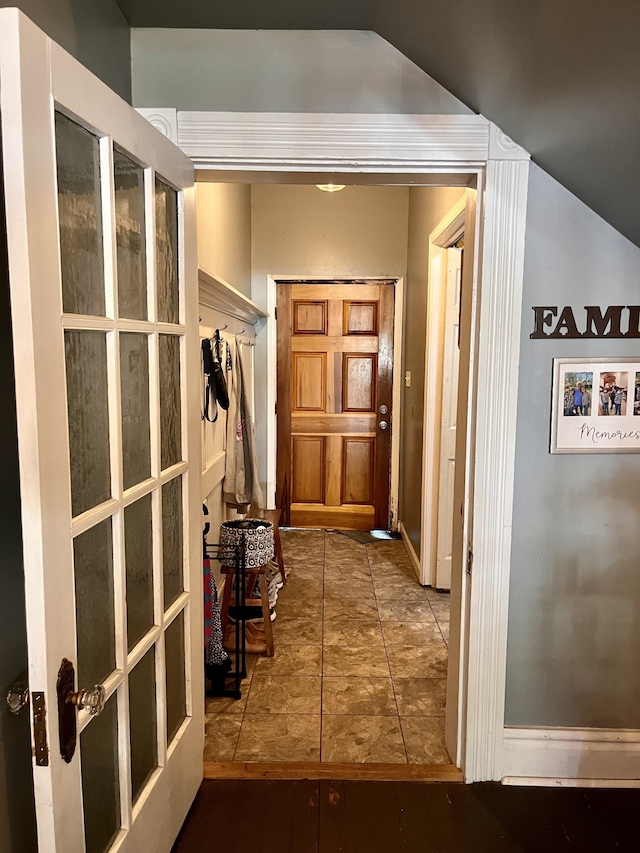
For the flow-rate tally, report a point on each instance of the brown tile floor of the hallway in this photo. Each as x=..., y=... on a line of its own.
x=359, y=673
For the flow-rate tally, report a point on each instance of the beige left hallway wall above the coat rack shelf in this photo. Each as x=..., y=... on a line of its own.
x=224, y=232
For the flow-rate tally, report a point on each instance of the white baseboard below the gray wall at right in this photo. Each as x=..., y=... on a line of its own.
x=567, y=756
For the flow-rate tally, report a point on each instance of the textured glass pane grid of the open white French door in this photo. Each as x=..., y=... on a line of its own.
x=124, y=350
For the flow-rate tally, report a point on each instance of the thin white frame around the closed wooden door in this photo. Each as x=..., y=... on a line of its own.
x=271, y=355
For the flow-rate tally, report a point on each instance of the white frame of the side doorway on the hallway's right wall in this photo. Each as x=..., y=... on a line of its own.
x=443, y=235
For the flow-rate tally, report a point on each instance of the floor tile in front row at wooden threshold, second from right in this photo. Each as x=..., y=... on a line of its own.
x=362, y=739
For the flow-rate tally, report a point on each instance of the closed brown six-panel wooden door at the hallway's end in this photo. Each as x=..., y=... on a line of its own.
x=335, y=367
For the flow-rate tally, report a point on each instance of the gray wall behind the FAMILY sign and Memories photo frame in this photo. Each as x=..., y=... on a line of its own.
x=574, y=634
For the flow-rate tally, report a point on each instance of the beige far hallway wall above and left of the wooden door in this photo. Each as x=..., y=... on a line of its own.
x=299, y=230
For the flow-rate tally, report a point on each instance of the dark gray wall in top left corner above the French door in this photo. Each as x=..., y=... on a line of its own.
x=94, y=31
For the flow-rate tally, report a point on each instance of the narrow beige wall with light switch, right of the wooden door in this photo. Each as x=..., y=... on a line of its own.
x=427, y=207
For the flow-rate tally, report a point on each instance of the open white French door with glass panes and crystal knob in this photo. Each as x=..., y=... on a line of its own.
x=103, y=278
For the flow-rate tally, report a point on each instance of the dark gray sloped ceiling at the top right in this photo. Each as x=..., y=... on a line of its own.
x=561, y=77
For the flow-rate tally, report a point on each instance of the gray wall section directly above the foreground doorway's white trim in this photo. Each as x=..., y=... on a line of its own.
x=272, y=71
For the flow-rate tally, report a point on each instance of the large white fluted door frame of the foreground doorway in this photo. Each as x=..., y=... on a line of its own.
x=441, y=150
